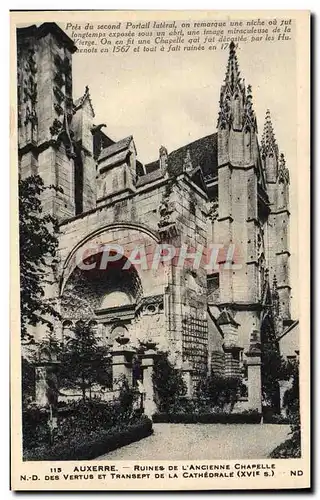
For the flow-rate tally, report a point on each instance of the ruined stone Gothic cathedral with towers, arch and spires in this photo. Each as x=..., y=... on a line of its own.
x=230, y=187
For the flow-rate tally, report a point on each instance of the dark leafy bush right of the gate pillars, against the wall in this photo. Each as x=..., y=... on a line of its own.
x=168, y=383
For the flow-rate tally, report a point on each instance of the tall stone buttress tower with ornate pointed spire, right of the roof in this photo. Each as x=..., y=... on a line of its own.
x=243, y=201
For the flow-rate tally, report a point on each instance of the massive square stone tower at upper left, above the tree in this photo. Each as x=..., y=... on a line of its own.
x=45, y=111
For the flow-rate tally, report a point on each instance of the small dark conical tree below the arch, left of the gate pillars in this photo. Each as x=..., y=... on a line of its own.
x=83, y=361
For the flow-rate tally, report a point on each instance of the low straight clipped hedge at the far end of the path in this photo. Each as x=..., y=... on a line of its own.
x=208, y=418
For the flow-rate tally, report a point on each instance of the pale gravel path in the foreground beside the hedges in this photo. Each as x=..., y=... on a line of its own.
x=204, y=442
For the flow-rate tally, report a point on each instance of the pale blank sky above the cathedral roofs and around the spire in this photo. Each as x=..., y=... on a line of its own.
x=172, y=98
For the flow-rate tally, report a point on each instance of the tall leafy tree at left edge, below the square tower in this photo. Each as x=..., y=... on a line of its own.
x=38, y=246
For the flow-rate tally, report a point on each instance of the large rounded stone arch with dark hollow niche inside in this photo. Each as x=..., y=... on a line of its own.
x=123, y=290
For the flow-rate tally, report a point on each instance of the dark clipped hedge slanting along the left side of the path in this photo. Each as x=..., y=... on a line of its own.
x=80, y=447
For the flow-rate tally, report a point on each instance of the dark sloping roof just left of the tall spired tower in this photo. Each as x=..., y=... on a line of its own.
x=203, y=153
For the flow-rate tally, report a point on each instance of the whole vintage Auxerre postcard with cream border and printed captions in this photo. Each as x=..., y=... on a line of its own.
x=160, y=172
